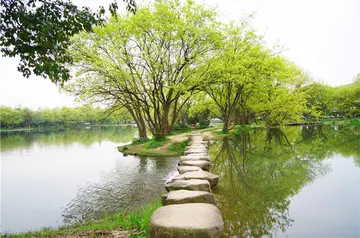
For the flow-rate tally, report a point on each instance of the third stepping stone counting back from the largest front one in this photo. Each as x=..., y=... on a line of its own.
x=193, y=184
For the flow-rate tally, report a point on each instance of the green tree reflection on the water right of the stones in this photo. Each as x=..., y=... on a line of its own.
x=261, y=170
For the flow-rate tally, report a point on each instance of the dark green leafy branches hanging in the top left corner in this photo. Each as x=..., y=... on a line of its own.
x=39, y=31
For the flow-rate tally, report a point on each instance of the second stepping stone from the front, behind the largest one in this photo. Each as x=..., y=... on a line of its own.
x=186, y=196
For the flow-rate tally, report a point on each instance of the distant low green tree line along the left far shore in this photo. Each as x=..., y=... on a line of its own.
x=60, y=117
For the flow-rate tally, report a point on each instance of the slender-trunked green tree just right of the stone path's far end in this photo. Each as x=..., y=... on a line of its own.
x=234, y=68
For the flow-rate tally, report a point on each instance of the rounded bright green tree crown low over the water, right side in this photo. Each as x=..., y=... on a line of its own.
x=278, y=99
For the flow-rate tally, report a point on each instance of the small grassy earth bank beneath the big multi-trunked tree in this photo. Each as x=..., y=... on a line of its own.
x=173, y=145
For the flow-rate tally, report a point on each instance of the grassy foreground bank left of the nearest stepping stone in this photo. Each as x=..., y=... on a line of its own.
x=136, y=224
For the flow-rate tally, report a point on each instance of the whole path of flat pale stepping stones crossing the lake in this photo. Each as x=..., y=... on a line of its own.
x=189, y=209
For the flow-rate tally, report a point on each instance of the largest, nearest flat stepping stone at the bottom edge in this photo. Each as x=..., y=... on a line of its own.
x=187, y=220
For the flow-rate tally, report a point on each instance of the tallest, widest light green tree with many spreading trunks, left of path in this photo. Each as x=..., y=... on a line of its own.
x=147, y=62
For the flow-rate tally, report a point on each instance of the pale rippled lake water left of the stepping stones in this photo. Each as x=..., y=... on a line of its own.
x=48, y=179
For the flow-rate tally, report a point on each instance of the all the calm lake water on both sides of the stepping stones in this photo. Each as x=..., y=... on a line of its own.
x=294, y=182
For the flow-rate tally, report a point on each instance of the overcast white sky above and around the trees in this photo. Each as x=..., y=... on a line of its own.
x=322, y=36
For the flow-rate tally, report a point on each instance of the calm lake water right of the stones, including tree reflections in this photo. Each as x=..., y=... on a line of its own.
x=291, y=182
